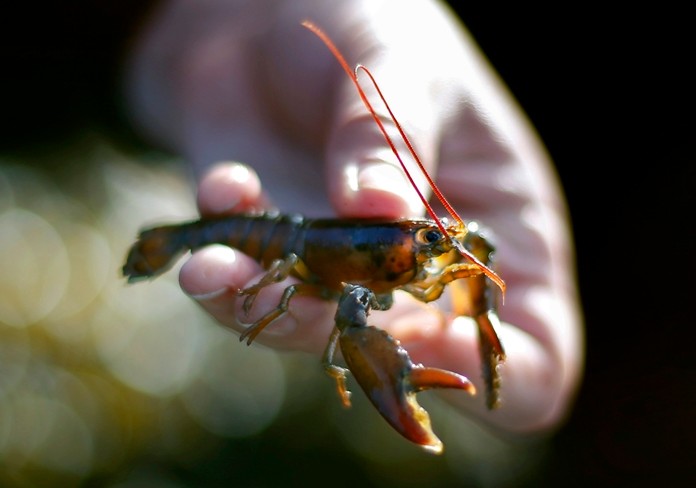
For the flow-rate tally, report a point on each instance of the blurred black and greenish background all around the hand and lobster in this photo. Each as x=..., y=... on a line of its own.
x=107, y=385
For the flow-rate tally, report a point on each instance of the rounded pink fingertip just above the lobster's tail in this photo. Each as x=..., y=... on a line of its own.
x=228, y=188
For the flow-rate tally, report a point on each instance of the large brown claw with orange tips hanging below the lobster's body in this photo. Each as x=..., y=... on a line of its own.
x=384, y=370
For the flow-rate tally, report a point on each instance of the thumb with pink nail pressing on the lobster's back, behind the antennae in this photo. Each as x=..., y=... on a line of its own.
x=366, y=173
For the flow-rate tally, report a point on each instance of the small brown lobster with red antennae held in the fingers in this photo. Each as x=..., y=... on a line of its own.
x=359, y=263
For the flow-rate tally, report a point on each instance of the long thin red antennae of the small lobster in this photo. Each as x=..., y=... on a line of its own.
x=352, y=74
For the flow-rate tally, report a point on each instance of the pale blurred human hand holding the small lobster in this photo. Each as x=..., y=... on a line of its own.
x=225, y=80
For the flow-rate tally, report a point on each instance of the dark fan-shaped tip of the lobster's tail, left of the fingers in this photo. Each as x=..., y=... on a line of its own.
x=155, y=251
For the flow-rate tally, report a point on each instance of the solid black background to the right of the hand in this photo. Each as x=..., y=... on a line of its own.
x=610, y=95
